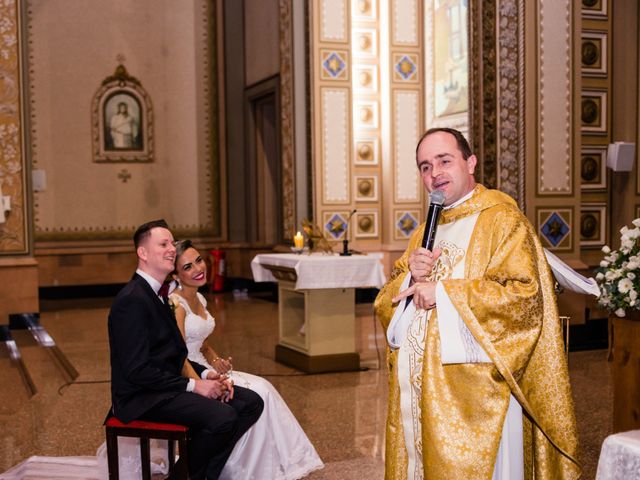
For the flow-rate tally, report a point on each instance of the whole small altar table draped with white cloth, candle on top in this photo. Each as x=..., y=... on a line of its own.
x=316, y=306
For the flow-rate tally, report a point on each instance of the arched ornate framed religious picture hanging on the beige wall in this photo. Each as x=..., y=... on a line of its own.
x=122, y=120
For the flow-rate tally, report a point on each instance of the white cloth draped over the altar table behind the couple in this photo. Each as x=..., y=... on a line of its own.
x=317, y=271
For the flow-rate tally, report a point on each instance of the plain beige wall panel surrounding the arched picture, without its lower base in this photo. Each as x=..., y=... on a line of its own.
x=74, y=45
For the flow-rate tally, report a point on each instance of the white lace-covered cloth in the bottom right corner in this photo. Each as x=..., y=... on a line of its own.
x=620, y=457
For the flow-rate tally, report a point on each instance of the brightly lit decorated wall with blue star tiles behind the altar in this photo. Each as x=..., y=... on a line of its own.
x=368, y=104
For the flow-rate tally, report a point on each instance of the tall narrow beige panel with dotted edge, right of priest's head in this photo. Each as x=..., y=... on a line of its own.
x=555, y=97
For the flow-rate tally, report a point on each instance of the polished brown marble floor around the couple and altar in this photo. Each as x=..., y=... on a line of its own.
x=342, y=413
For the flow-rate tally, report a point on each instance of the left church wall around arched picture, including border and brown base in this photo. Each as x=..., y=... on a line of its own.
x=87, y=210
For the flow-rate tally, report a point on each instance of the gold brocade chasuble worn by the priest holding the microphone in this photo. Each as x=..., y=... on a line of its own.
x=507, y=302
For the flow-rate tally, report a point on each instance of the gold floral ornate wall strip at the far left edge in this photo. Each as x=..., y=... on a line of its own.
x=14, y=232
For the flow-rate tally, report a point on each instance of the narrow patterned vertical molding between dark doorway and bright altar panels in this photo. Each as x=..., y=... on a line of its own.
x=287, y=119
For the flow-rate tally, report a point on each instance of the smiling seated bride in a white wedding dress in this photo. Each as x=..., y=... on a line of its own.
x=275, y=447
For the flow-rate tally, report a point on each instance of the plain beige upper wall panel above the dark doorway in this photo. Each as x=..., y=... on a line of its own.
x=261, y=40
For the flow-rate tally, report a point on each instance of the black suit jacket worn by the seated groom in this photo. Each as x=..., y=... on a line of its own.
x=147, y=351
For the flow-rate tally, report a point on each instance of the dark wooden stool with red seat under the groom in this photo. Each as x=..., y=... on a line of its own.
x=144, y=431
